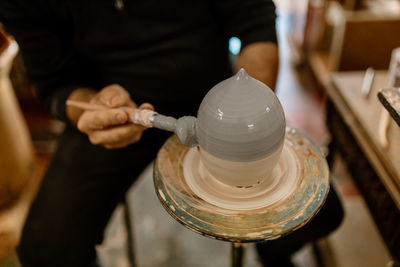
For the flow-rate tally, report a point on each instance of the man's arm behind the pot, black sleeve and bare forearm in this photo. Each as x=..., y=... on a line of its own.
x=253, y=22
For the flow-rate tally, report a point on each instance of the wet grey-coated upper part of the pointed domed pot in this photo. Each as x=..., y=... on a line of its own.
x=241, y=119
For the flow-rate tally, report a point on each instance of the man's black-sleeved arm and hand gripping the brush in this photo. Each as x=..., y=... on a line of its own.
x=60, y=72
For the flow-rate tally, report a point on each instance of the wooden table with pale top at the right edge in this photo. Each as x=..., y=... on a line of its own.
x=353, y=121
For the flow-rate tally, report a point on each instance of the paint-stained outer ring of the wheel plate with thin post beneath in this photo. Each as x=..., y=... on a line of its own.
x=240, y=226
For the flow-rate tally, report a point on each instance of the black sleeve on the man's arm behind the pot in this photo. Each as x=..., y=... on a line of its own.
x=249, y=20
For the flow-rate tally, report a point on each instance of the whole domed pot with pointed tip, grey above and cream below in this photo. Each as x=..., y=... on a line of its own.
x=240, y=129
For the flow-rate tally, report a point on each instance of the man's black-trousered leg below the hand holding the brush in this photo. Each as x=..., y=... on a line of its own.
x=79, y=192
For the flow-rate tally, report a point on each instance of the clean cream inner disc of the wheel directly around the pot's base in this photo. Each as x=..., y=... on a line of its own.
x=284, y=179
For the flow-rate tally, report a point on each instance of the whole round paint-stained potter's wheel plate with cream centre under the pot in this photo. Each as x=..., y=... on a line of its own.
x=259, y=216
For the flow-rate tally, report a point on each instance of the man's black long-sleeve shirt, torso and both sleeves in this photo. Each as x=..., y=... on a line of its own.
x=164, y=52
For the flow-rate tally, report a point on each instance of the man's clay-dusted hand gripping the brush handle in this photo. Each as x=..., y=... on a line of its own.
x=108, y=128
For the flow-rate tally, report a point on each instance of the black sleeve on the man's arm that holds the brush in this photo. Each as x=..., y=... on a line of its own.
x=51, y=61
